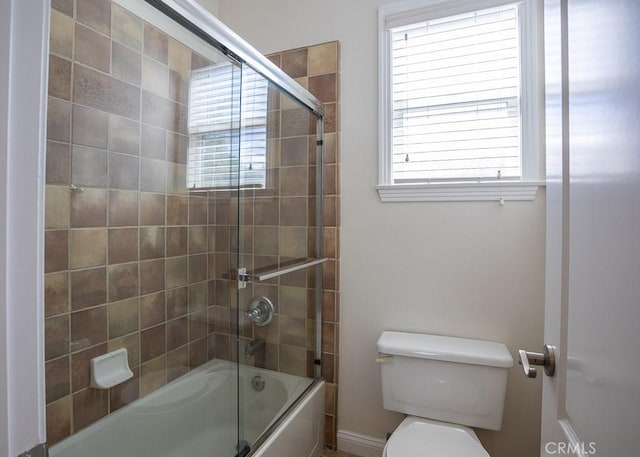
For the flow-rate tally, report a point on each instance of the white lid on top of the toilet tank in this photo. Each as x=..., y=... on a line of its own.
x=445, y=348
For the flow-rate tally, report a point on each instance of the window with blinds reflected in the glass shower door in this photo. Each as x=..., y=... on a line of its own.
x=227, y=128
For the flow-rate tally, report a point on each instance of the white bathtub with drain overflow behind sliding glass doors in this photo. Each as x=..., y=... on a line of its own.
x=197, y=416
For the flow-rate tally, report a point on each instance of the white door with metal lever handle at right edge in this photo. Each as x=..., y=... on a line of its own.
x=592, y=405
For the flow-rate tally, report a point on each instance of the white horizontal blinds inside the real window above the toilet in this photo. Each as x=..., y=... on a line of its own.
x=455, y=86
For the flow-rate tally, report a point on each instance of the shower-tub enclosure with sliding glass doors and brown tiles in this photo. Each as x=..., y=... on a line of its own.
x=184, y=224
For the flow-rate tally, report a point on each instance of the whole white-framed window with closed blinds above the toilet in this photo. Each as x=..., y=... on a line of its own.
x=458, y=110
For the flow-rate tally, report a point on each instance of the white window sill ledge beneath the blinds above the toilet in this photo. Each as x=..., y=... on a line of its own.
x=452, y=192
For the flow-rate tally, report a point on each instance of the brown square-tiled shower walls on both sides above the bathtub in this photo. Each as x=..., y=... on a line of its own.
x=132, y=259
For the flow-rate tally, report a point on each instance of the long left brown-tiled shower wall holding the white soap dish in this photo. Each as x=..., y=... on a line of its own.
x=127, y=248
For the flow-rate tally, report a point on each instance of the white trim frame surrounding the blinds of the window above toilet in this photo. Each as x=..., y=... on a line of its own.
x=412, y=11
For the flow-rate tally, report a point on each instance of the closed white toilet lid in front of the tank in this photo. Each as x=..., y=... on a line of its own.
x=418, y=437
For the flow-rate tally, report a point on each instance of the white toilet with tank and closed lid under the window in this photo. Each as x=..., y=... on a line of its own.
x=445, y=385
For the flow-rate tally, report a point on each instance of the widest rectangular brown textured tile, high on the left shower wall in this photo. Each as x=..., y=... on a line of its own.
x=103, y=92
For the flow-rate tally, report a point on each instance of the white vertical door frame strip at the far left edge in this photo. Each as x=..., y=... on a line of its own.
x=24, y=34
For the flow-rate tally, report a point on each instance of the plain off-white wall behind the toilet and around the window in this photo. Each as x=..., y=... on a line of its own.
x=464, y=269
